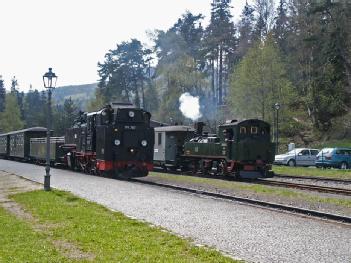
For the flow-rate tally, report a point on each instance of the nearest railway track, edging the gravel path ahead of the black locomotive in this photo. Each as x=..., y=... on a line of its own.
x=263, y=204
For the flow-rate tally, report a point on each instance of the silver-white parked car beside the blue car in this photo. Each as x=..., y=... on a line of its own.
x=298, y=156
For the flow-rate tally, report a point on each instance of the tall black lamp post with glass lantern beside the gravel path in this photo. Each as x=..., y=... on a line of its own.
x=49, y=80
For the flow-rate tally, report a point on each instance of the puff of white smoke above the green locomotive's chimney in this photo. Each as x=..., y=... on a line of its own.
x=190, y=106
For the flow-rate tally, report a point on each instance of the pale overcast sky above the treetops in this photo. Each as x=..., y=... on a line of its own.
x=72, y=36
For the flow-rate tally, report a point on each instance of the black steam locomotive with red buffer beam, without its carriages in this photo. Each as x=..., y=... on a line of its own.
x=116, y=140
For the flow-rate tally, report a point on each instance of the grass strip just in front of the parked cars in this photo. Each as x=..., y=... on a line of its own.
x=311, y=171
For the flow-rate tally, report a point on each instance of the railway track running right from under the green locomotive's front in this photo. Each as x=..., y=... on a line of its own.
x=310, y=187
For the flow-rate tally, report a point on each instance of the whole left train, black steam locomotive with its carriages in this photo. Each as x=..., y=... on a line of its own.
x=117, y=140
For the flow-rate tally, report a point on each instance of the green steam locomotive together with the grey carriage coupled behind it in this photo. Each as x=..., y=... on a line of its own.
x=240, y=149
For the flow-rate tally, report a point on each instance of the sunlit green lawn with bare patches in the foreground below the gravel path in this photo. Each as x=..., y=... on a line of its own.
x=68, y=229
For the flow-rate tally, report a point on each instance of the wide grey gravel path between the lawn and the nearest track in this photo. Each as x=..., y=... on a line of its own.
x=246, y=232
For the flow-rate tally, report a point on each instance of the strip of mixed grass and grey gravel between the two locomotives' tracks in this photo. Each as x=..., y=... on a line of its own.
x=312, y=200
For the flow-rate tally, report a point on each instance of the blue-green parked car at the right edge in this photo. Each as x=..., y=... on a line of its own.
x=334, y=157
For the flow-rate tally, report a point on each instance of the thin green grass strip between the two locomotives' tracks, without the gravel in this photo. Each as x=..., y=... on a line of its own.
x=255, y=188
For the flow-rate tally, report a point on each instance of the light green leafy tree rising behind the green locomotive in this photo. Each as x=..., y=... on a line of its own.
x=259, y=81
